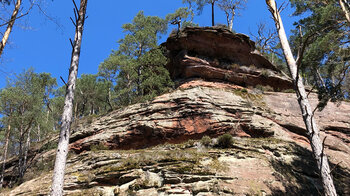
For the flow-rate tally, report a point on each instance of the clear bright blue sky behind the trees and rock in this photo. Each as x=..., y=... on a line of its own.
x=45, y=46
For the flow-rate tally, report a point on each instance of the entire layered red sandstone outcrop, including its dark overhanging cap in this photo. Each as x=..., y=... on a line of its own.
x=152, y=148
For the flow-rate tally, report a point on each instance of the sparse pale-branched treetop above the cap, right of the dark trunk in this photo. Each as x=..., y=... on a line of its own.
x=231, y=8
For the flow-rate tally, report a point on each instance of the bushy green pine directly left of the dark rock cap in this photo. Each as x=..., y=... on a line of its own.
x=137, y=68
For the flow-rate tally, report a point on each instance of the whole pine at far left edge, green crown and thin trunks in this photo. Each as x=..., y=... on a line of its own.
x=23, y=103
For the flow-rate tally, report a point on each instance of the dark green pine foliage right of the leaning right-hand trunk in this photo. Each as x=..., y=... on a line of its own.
x=325, y=62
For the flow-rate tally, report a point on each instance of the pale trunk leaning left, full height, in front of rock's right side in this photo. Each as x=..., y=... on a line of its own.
x=307, y=112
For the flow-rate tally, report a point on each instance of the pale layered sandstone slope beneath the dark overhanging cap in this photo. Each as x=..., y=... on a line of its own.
x=267, y=157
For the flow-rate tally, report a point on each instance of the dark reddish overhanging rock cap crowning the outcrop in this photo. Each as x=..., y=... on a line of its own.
x=218, y=54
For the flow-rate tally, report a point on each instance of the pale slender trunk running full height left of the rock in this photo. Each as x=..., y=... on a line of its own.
x=62, y=149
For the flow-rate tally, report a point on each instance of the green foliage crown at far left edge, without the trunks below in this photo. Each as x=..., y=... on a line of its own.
x=25, y=102
